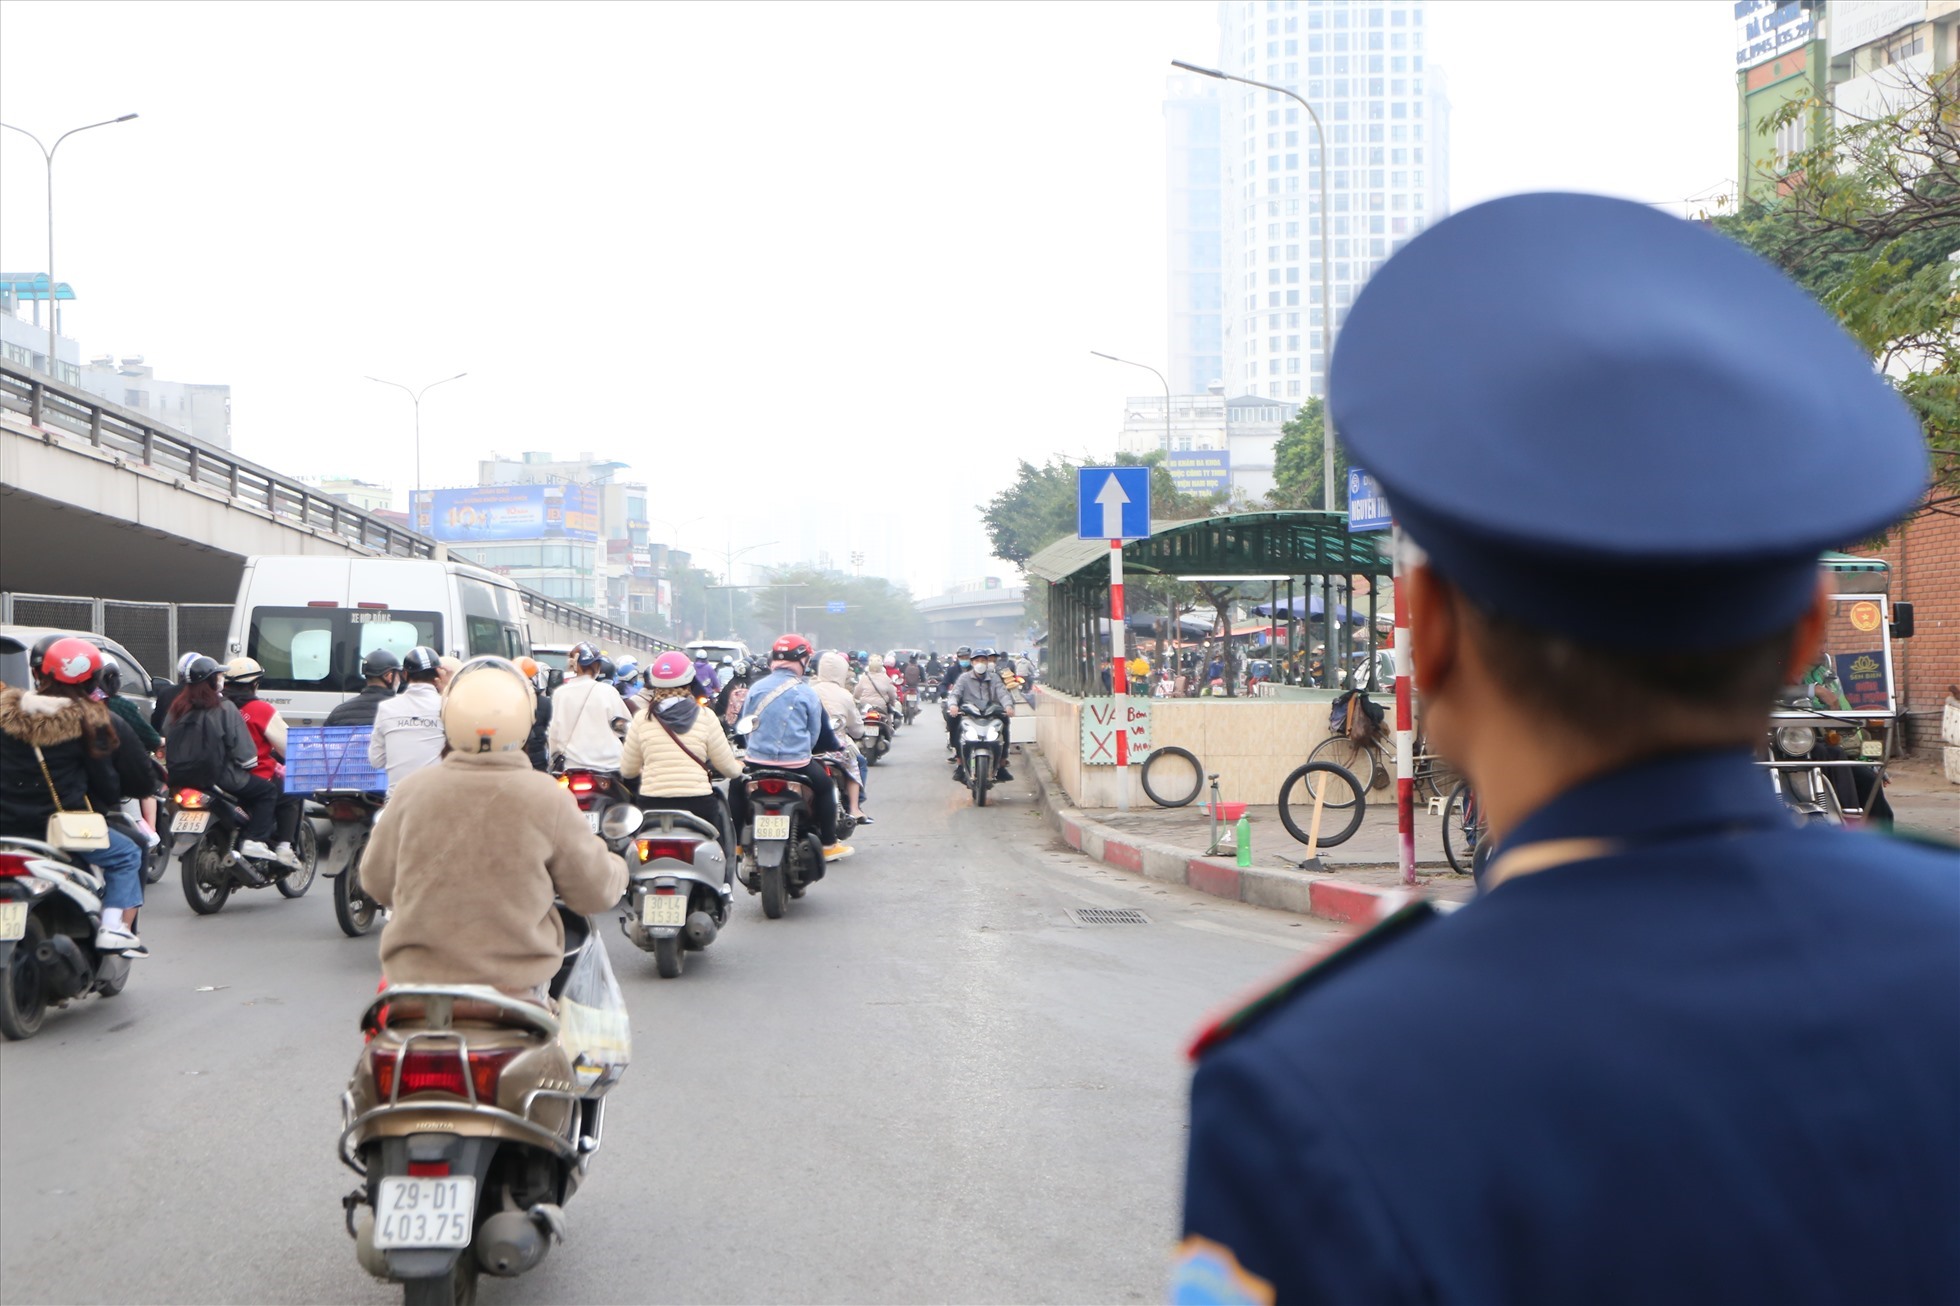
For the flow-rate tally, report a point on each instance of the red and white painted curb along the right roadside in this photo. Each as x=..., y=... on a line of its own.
x=1269, y=887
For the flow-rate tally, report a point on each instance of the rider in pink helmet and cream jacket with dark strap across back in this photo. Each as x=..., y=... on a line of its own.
x=673, y=750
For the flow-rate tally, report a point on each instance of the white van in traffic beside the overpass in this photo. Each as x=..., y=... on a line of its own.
x=313, y=621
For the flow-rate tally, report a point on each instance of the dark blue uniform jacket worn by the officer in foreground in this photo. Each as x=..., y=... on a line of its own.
x=1722, y=1066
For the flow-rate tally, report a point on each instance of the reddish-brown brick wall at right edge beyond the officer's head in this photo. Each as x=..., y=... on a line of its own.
x=1926, y=572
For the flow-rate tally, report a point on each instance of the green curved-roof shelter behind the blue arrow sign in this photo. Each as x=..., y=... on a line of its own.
x=1285, y=554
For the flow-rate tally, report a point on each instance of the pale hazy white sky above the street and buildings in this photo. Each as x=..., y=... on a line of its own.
x=848, y=256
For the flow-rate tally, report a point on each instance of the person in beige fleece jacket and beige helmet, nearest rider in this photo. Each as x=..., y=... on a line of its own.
x=471, y=854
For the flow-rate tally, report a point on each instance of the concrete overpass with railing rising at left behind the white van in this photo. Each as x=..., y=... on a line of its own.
x=101, y=501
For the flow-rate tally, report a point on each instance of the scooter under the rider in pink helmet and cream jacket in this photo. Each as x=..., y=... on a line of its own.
x=679, y=895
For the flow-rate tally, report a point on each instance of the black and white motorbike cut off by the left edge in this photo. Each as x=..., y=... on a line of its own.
x=50, y=915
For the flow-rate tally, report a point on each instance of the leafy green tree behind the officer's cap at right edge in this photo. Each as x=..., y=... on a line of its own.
x=1867, y=221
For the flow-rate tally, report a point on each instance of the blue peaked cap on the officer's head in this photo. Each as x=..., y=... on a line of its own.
x=1618, y=427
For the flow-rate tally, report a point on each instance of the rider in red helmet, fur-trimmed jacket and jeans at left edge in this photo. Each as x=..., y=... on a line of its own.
x=60, y=748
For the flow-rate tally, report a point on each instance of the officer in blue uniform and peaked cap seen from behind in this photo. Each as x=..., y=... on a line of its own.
x=1677, y=1050
